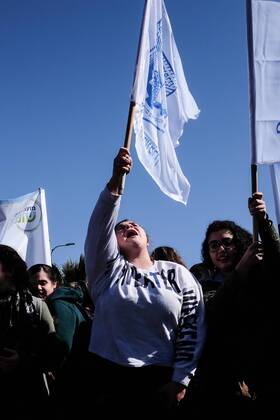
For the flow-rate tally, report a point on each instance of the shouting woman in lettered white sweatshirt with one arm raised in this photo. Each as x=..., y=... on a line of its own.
x=148, y=327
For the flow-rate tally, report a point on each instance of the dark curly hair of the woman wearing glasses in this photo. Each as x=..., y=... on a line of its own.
x=241, y=237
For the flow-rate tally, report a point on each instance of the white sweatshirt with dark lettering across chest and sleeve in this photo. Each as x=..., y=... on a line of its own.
x=142, y=317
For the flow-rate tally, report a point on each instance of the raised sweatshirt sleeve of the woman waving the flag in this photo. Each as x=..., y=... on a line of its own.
x=101, y=243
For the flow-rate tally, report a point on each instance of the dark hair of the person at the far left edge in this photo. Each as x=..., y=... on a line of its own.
x=14, y=267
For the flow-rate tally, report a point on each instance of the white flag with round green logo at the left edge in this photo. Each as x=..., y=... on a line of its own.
x=24, y=227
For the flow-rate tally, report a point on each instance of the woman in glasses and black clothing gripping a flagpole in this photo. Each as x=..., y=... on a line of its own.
x=239, y=368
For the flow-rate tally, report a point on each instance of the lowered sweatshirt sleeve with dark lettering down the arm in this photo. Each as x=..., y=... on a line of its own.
x=190, y=335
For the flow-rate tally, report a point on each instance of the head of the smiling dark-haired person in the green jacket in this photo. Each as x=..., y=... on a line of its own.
x=43, y=279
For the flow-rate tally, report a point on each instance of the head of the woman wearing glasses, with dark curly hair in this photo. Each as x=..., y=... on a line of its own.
x=224, y=244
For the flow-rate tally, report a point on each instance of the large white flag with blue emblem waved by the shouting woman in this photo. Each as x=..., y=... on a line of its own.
x=163, y=102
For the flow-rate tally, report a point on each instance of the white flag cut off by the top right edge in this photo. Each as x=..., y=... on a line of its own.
x=264, y=62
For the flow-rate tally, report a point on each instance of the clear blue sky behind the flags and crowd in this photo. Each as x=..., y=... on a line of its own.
x=65, y=79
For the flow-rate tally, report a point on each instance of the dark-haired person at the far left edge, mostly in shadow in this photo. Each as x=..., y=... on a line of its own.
x=28, y=342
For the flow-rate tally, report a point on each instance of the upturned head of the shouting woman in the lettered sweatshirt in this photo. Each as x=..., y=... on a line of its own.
x=131, y=238
